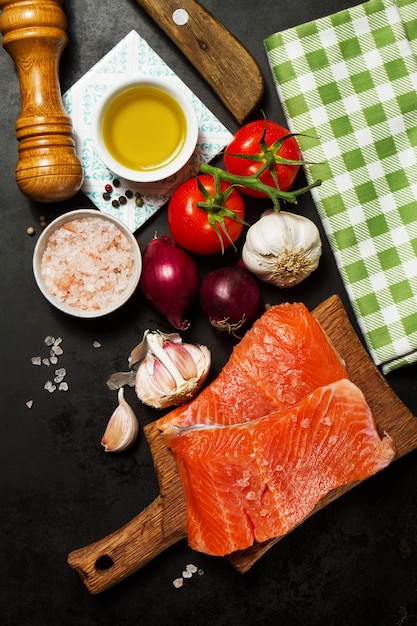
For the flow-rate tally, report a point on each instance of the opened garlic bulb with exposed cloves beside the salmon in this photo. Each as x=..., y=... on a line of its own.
x=170, y=372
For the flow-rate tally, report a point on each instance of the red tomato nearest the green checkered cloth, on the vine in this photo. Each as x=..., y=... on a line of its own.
x=247, y=141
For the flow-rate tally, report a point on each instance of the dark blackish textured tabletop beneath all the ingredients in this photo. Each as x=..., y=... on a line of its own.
x=353, y=563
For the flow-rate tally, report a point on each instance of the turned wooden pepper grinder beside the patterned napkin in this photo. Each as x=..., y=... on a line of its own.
x=34, y=34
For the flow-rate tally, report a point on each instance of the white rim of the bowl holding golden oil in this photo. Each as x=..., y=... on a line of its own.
x=171, y=86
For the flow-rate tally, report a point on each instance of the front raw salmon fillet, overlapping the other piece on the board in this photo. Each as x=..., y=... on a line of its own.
x=256, y=481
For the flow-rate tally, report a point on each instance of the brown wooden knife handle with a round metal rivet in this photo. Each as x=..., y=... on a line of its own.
x=220, y=58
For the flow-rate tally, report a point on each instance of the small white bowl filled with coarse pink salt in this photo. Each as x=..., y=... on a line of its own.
x=87, y=263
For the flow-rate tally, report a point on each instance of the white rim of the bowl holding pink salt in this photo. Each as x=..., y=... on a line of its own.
x=41, y=245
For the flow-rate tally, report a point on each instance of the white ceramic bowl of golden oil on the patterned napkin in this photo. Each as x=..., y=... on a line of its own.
x=146, y=132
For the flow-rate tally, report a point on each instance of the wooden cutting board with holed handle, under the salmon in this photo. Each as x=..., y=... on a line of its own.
x=116, y=556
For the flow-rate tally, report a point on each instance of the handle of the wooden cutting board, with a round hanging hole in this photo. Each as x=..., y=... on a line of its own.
x=108, y=561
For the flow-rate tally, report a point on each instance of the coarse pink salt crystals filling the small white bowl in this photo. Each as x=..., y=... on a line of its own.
x=87, y=263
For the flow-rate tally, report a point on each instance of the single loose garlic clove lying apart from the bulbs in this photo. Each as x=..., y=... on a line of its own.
x=122, y=428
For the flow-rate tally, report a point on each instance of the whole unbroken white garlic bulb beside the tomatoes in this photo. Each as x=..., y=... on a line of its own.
x=282, y=248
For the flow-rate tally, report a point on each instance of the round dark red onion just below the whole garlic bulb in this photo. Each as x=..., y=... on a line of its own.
x=230, y=297
